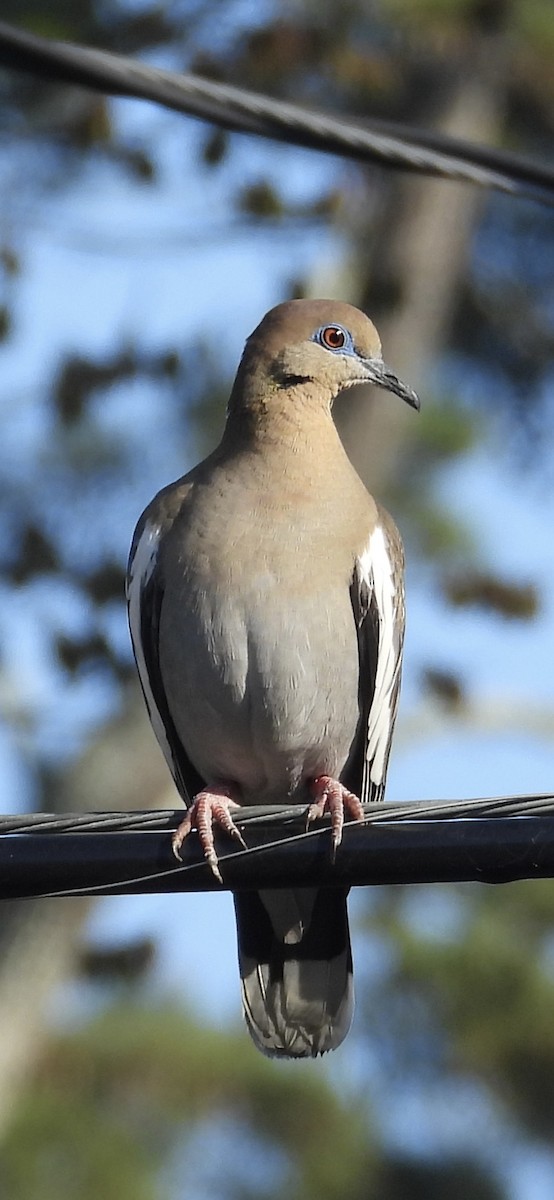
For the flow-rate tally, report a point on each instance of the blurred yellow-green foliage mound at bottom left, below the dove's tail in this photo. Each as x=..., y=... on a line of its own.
x=116, y=1100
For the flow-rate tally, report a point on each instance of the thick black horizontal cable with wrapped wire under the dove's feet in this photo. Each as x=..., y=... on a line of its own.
x=492, y=841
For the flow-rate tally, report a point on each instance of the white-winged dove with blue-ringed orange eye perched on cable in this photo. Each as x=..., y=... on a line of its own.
x=267, y=610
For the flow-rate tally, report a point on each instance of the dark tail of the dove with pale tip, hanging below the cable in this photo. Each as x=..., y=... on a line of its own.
x=297, y=969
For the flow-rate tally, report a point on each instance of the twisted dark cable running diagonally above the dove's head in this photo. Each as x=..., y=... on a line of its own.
x=382, y=142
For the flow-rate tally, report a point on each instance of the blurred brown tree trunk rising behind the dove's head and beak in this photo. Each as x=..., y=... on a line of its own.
x=423, y=257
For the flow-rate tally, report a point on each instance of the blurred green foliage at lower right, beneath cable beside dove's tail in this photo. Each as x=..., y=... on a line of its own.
x=483, y=989
